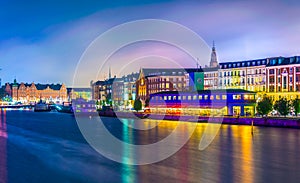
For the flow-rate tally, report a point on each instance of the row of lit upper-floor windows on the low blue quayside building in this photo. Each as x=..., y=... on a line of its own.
x=204, y=97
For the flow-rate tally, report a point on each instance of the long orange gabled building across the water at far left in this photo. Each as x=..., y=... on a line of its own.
x=27, y=93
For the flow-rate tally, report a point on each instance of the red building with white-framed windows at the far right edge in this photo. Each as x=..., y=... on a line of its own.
x=283, y=77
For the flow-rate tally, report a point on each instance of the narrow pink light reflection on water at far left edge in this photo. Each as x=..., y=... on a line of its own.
x=3, y=153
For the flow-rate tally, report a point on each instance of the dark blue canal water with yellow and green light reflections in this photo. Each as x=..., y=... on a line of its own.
x=48, y=147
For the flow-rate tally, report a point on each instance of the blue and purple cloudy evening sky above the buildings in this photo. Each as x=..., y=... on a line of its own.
x=42, y=41
